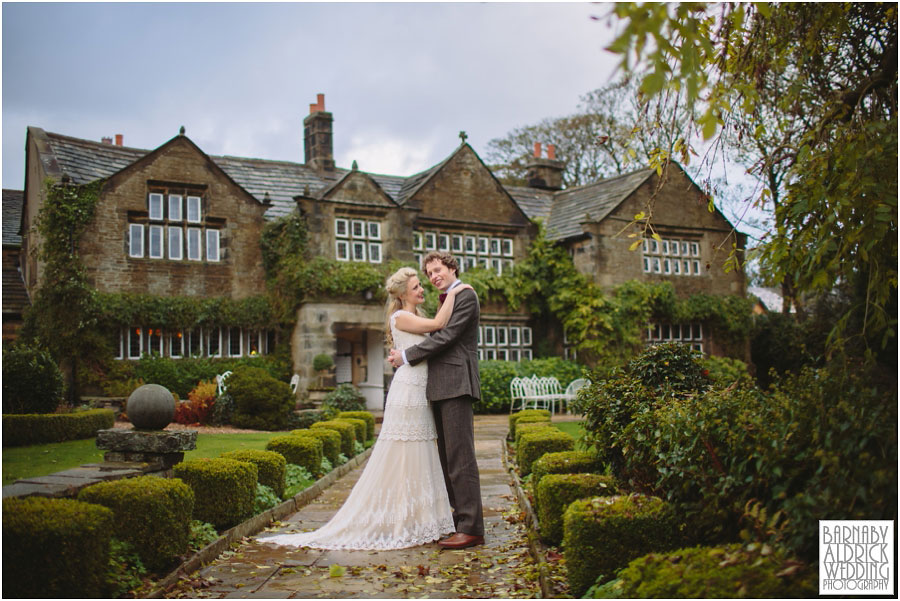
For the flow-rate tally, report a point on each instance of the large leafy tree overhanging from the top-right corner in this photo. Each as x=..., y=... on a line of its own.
x=815, y=86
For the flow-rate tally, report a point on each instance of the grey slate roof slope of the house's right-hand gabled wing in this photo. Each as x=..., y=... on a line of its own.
x=571, y=207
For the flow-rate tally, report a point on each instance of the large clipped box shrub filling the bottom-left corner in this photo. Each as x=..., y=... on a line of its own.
x=55, y=548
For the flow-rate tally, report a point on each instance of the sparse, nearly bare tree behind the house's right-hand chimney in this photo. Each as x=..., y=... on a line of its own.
x=613, y=129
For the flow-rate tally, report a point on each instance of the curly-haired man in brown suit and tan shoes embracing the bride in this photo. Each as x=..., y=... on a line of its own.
x=453, y=385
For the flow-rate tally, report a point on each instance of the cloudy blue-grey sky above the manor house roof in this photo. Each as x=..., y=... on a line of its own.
x=401, y=79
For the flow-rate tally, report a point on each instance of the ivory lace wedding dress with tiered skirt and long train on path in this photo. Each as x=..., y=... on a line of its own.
x=400, y=500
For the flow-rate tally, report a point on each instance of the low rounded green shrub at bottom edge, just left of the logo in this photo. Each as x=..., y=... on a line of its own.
x=732, y=571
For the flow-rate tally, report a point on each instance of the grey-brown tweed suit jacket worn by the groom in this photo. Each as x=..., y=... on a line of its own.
x=452, y=353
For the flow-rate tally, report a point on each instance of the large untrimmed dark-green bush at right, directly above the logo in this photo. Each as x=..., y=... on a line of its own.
x=817, y=445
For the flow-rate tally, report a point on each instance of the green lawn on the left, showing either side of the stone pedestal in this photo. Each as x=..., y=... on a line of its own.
x=40, y=460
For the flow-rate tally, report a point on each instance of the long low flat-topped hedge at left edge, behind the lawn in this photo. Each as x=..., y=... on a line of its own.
x=40, y=428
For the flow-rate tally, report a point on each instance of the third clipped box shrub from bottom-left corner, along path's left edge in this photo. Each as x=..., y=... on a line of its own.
x=224, y=489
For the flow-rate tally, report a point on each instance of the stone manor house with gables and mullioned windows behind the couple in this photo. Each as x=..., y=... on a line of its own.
x=176, y=221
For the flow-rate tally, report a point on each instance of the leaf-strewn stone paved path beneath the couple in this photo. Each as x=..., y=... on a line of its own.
x=501, y=567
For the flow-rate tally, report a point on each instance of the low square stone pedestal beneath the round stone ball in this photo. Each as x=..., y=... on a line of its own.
x=158, y=448
